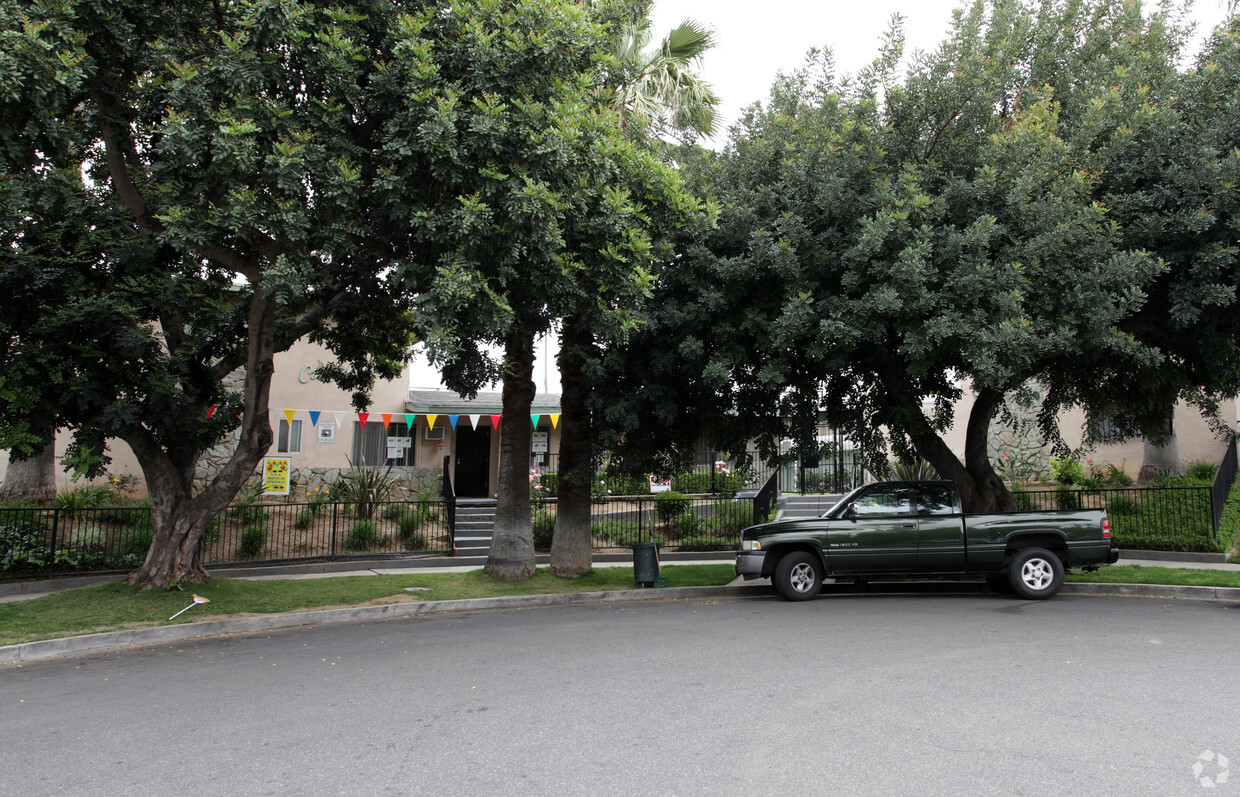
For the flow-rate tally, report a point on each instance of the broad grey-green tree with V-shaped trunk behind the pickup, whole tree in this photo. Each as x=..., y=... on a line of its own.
x=887, y=244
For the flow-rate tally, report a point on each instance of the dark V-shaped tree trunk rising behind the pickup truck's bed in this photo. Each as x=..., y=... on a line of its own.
x=981, y=489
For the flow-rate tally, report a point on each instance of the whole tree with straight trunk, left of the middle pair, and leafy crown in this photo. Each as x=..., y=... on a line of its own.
x=560, y=216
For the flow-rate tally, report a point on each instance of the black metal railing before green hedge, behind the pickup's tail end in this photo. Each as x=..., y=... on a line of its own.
x=1155, y=519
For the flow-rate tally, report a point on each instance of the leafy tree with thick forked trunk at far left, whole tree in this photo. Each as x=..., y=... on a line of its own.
x=190, y=189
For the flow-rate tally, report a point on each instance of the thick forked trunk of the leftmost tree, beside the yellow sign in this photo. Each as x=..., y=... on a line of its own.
x=180, y=517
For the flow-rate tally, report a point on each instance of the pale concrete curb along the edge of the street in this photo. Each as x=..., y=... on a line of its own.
x=95, y=643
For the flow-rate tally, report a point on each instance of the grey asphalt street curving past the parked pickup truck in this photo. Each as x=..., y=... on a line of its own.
x=850, y=695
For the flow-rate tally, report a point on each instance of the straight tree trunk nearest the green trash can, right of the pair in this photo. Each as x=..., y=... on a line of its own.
x=572, y=547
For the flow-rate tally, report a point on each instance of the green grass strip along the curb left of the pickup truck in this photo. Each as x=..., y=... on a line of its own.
x=115, y=607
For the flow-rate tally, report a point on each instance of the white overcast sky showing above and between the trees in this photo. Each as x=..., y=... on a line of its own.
x=758, y=39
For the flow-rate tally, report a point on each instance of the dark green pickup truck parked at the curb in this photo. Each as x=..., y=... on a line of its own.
x=916, y=529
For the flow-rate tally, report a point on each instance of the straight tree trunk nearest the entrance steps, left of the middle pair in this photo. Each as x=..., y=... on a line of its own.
x=513, y=547
